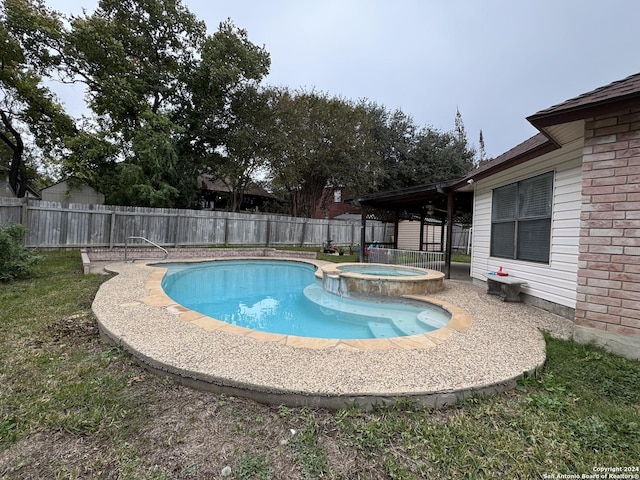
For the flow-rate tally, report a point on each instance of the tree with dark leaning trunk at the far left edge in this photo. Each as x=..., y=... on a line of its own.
x=33, y=123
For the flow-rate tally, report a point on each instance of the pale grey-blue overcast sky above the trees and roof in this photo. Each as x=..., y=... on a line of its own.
x=497, y=61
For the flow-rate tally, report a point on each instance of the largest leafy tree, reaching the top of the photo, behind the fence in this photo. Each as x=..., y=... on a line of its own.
x=135, y=58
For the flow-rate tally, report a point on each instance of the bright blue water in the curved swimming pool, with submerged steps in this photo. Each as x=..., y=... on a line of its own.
x=285, y=297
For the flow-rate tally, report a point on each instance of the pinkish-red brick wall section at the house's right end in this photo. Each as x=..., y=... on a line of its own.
x=608, y=294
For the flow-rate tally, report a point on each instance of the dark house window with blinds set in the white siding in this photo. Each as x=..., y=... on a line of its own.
x=521, y=219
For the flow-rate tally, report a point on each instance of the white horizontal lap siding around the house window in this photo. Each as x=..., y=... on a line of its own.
x=557, y=281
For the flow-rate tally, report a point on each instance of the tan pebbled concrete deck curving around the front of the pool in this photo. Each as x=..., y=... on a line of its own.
x=484, y=356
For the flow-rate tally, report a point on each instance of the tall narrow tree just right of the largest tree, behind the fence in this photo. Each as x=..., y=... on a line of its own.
x=228, y=114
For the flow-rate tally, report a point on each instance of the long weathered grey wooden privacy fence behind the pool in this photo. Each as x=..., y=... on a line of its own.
x=53, y=224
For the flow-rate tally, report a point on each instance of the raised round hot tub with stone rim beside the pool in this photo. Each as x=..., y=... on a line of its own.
x=379, y=279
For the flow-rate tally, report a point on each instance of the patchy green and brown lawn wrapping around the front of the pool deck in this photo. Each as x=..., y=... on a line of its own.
x=72, y=406
